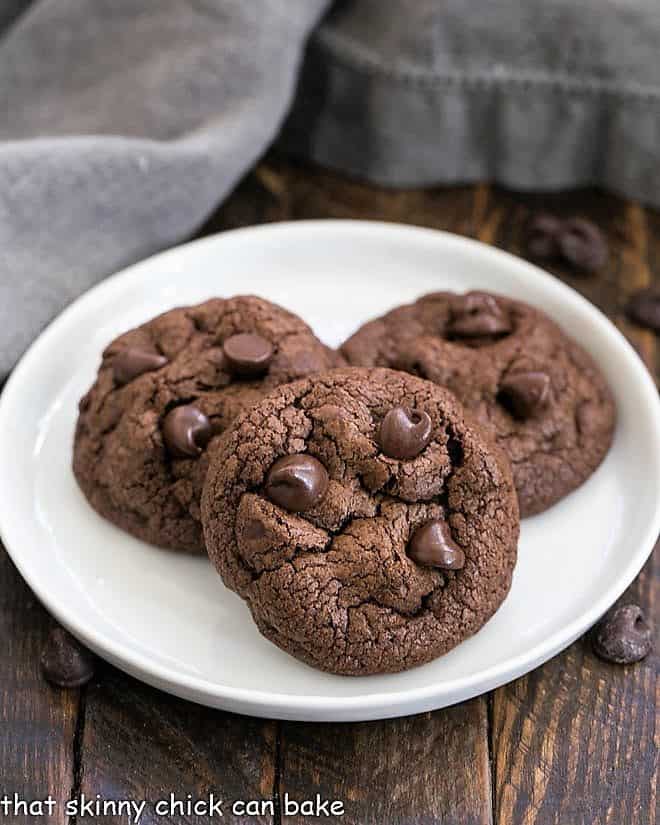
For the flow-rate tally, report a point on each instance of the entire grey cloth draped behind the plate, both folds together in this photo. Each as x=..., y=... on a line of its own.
x=124, y=124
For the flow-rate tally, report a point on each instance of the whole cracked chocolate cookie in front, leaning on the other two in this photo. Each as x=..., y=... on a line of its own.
x=367, y=523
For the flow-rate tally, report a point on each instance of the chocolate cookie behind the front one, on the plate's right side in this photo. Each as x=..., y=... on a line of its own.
x=537, y=392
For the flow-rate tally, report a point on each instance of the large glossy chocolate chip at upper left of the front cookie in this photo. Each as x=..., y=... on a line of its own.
x=297, y=482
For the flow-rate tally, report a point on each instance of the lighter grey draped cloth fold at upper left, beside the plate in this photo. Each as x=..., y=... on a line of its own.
x=123, y=124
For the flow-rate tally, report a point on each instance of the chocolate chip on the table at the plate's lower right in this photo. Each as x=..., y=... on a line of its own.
x=623, y=636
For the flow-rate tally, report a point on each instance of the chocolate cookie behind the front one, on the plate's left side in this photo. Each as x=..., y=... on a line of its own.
x=165, y=392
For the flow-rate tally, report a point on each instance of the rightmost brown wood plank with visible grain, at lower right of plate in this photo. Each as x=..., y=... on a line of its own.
x=574, y=741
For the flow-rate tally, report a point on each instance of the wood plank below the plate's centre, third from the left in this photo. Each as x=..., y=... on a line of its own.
x=431, y=768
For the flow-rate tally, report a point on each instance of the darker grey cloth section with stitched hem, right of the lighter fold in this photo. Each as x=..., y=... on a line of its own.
x=544, y=94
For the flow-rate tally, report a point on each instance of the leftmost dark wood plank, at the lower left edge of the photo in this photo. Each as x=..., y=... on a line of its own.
x=37, y=722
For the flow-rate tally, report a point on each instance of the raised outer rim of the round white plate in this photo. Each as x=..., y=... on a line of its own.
x=293, y=706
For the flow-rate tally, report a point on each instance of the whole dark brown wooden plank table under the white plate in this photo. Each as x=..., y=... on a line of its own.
x=573, y=742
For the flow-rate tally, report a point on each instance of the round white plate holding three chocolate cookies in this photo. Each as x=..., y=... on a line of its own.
x=168, y=620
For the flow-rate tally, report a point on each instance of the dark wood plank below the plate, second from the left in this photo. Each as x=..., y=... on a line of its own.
x=141, y=744
